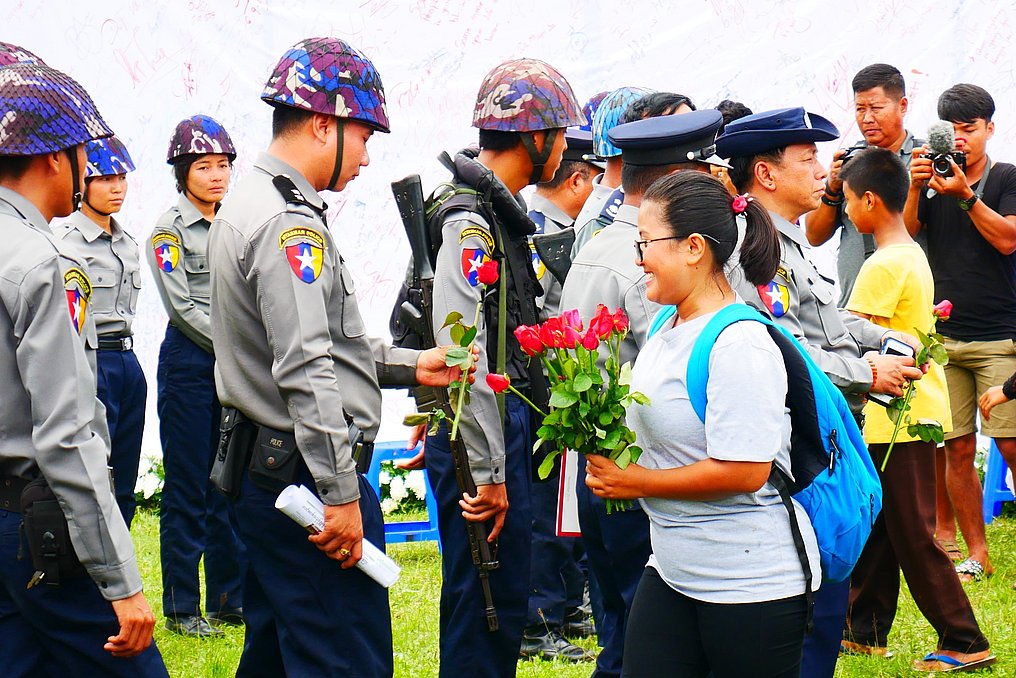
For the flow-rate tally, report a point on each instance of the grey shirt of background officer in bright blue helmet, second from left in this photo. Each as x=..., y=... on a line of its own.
x=114, y=269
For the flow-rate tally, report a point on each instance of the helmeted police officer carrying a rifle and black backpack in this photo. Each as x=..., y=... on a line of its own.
x=523, y=109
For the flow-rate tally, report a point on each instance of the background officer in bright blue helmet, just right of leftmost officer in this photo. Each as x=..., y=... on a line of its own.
x=111, y=254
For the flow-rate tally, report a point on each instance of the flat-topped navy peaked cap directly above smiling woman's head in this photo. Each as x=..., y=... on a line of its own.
x=688, y=138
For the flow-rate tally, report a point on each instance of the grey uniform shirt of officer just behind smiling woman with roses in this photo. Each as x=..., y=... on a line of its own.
x=606, y=273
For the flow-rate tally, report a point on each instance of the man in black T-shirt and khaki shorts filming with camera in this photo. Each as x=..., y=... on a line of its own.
x=969, y=213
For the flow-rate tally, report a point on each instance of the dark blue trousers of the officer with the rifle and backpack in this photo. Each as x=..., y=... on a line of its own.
x=467, y=647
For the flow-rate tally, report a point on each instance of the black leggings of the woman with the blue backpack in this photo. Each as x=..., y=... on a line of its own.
x=671, y=635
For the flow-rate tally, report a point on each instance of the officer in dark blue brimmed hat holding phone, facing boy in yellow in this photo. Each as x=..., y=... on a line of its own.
x=774, y=156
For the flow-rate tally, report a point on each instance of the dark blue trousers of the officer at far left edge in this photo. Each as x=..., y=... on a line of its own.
x=57, y=631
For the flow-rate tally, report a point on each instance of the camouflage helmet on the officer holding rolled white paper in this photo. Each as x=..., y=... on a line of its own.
x=329, y=76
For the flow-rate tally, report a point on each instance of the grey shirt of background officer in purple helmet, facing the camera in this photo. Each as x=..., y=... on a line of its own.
x=178, y=257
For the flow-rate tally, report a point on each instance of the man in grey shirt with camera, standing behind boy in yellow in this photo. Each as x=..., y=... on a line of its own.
x=880, y=105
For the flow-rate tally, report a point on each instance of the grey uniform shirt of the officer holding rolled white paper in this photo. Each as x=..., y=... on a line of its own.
x=285, y=304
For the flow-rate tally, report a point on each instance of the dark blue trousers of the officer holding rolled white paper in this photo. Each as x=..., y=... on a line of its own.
x=305, y=615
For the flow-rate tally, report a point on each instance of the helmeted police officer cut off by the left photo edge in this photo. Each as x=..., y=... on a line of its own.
x=54, y=428
